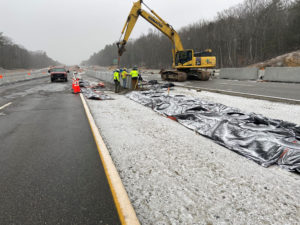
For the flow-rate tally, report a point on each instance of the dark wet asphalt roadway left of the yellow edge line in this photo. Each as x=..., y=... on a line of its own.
x=50, y=170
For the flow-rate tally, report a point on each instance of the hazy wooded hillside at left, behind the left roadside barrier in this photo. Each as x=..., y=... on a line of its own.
x=13, y=56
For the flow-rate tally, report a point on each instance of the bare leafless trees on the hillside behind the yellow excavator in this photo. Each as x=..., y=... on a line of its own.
x=250, y=32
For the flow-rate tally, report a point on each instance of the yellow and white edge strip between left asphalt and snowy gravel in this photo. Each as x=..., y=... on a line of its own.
x=125, y=210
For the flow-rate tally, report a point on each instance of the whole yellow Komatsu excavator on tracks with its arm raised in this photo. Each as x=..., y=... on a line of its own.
x=187, y=62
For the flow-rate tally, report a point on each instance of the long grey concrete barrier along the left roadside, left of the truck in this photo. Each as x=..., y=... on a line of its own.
x=6, y=77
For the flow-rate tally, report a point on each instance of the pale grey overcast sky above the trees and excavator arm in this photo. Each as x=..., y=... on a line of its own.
x=71, y=30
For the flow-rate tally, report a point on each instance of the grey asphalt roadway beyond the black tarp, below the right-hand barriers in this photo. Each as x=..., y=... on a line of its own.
x=273, y=89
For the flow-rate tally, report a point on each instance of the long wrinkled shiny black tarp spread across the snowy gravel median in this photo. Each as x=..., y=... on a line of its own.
x=265, y=141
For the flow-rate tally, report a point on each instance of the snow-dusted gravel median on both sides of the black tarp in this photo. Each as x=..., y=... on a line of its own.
x=174, y=176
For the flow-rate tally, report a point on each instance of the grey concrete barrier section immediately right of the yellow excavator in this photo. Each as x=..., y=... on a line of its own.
x=239, y=73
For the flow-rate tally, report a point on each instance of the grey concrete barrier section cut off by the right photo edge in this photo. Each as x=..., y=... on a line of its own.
x=282, y=74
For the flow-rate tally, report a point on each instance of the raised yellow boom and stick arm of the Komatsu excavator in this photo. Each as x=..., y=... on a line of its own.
x=152, y=18
